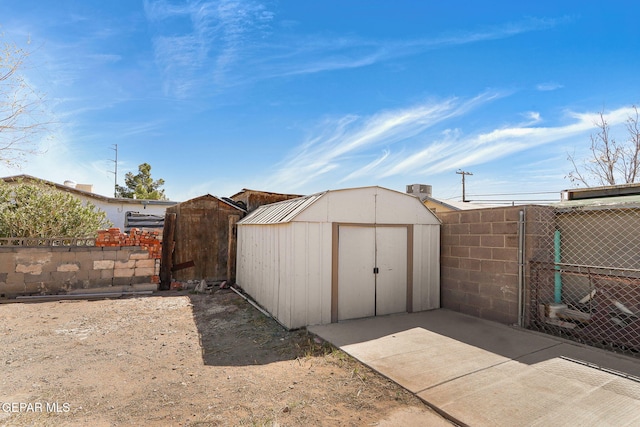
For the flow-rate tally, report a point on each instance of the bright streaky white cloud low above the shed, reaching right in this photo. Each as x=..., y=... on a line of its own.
x=338, y=150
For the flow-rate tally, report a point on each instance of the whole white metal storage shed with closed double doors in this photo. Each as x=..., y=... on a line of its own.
x=341, y=254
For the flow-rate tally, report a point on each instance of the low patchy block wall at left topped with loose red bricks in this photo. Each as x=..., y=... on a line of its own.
x=65, y=269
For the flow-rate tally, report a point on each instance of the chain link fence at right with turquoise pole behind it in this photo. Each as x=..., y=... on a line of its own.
x=584, y=281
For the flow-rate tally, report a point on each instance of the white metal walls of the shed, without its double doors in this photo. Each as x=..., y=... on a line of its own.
x=287, y=267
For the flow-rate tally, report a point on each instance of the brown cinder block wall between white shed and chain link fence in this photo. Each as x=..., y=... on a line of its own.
x=479, y=263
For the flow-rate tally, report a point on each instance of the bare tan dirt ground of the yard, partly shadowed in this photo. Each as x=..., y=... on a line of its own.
x=181, y=359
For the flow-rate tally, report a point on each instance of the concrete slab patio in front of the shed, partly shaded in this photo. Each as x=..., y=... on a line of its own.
x=481, y=373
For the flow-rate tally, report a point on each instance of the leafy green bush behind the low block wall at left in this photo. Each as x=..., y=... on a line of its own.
x=40, y=210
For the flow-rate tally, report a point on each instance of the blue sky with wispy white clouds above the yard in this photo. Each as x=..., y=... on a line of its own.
x=300, y=96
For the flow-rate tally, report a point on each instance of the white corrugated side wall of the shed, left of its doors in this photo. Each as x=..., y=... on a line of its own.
x=286, y=268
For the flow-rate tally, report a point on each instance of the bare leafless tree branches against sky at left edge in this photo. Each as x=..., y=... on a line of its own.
x=23, y=119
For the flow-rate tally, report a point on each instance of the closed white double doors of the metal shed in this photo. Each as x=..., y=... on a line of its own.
x=372, y=271
